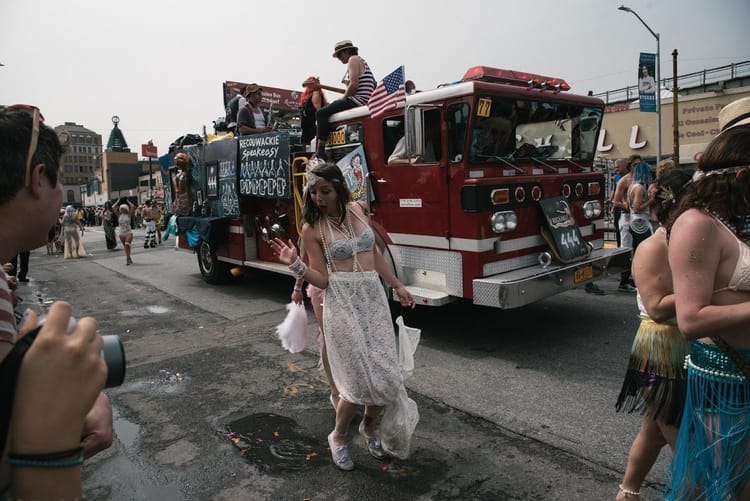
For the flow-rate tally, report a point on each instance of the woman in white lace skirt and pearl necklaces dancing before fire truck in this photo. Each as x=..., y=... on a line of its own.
x=360, y=338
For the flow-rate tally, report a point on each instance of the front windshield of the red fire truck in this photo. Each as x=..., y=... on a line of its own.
x=506, y=129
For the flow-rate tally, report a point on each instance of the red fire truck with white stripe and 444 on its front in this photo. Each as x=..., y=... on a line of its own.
x=500, y=204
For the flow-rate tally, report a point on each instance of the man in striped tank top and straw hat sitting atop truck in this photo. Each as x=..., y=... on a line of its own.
x=360, y=84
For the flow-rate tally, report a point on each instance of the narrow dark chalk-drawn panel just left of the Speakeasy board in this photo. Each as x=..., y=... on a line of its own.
x=221, y=177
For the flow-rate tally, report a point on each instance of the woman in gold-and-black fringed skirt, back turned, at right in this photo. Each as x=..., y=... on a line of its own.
x=655, y=381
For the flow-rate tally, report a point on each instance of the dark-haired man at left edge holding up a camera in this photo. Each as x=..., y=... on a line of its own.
x=59, y=414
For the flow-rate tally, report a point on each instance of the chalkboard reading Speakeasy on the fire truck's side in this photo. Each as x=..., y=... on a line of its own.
x=264, y=165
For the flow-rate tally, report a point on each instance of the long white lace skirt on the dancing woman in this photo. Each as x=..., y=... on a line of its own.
x=363, y=356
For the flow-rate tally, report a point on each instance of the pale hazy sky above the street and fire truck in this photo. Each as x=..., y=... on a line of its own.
x=159, y=64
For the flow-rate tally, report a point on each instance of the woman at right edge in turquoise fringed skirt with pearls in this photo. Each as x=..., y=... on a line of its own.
x=710, y=260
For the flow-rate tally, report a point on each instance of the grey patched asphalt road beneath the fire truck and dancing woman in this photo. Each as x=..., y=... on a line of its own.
x=513, y=404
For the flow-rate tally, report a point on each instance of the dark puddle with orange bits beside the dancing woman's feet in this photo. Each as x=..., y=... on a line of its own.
x=273, y=443
